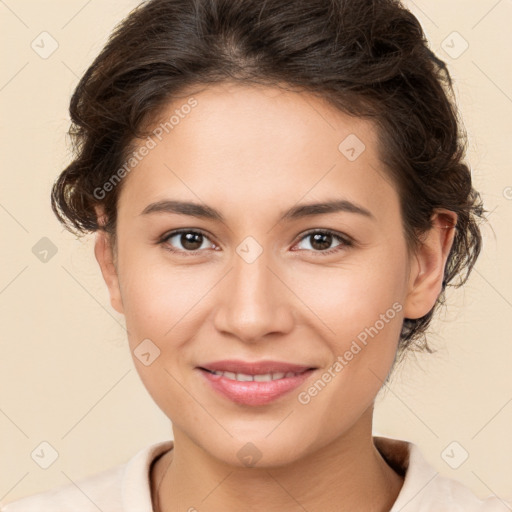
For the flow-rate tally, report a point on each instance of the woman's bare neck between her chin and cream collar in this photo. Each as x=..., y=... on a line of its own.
x=349, y=474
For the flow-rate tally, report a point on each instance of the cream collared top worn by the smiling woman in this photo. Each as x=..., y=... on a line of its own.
x=126, y=487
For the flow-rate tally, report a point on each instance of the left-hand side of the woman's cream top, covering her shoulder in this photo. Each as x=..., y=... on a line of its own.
x=123, y=488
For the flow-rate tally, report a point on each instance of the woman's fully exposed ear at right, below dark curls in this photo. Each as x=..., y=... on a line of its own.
x=428, y=265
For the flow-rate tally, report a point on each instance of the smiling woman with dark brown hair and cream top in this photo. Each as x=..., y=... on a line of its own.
x=280, y=201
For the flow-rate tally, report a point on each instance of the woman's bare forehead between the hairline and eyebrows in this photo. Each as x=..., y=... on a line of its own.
x=255, y=144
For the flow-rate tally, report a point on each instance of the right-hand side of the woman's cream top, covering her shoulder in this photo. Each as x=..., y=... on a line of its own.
x=425, y=489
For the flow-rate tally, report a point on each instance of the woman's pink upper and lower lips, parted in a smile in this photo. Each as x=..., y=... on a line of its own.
x=254, y=393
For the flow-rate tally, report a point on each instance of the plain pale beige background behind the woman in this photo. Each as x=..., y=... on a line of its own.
x=66, y=376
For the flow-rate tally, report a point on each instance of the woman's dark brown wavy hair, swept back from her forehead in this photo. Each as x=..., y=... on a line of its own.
x=367, y=58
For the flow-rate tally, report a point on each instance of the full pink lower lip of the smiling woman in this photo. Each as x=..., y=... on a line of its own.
x=252, y=392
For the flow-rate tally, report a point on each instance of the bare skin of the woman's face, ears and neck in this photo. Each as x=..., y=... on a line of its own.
x=252, y=152
